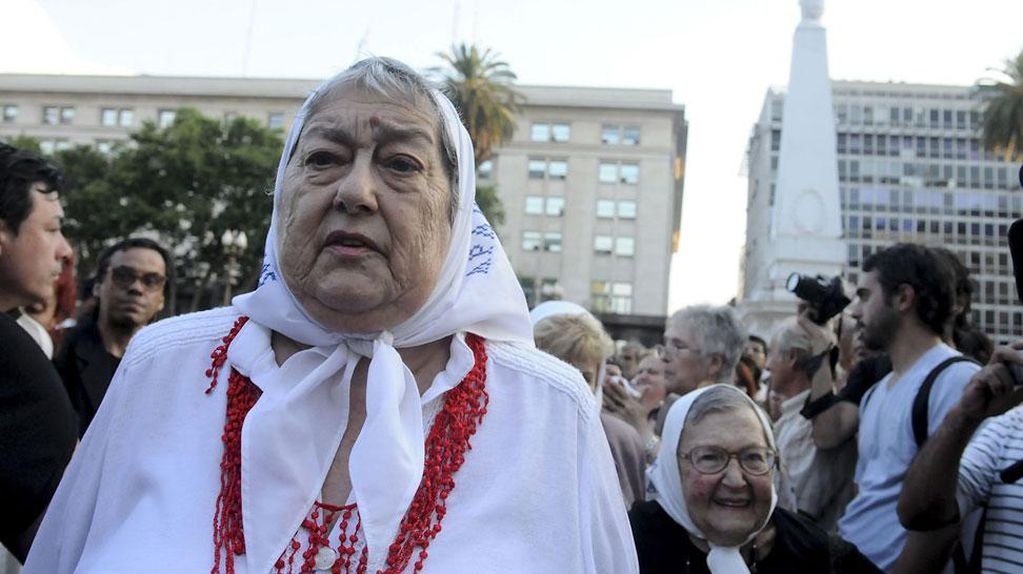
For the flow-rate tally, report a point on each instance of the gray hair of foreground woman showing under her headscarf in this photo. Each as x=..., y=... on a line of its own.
x=392, y=79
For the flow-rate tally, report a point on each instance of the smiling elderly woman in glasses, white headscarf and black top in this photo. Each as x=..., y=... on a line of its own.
x=714, y=507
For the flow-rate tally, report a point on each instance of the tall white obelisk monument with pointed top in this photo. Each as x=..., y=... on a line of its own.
x=798, y=228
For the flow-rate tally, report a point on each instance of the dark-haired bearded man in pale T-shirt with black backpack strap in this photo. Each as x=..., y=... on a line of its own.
x=906, y=299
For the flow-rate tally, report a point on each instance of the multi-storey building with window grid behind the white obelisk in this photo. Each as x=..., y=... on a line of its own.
x=911, y=168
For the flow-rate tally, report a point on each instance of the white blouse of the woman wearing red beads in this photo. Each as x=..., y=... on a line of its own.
x=538, y=492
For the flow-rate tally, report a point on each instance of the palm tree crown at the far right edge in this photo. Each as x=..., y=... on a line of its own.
x=1003, y=107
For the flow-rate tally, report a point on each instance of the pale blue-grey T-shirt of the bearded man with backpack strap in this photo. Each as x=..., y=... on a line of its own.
x=887, y=449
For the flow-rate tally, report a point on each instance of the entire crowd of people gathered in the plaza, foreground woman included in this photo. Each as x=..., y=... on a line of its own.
x=385, y=402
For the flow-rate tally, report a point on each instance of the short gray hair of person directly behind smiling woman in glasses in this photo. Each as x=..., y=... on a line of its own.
x=719, y=332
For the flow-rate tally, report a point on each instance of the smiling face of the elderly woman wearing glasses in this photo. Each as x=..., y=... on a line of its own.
x=730, y=506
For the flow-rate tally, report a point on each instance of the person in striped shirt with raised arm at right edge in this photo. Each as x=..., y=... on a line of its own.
x=955, y=474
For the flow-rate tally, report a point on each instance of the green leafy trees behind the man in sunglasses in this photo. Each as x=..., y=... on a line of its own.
x=185, y=186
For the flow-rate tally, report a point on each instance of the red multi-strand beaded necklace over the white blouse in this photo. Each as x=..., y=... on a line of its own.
x=465, y=408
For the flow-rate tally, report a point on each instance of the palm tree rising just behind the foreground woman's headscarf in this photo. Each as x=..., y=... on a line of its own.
x=481, y=86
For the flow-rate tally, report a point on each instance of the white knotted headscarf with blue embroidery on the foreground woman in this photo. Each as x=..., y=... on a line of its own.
x=477, y=292
